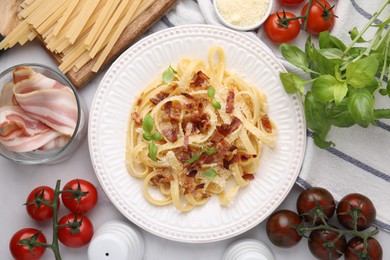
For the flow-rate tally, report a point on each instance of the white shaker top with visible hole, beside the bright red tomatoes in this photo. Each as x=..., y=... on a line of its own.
x=116, y=240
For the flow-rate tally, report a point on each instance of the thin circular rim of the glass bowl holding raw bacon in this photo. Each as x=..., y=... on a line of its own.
x=63, y=78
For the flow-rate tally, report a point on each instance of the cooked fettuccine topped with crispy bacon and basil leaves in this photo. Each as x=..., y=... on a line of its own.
x=196, y=132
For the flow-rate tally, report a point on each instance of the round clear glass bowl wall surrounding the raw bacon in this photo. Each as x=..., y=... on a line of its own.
x=53, y=155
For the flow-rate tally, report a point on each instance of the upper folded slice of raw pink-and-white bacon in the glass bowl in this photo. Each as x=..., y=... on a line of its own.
x=47, y=100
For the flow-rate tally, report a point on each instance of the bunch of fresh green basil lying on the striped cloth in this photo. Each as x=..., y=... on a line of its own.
x=343, y=80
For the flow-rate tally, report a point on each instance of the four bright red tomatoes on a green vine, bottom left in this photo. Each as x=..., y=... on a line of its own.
x=73, y=230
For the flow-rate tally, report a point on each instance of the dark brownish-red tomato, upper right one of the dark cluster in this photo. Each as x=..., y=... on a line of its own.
x=360, y=205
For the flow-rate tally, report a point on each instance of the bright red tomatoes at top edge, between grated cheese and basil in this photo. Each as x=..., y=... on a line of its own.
x=316, y=16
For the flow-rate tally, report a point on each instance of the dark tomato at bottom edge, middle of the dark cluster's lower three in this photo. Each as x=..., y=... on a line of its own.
x=320, y=244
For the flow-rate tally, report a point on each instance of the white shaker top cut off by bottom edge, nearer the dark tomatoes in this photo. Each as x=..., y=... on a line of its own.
x=248, y=249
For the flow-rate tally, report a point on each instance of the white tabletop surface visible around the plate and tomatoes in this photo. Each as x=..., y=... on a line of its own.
x=17, y=181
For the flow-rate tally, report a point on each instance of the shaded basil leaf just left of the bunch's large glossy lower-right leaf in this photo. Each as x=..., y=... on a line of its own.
x=339, y=115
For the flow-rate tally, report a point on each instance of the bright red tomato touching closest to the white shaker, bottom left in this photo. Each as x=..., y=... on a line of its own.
x=78, y=231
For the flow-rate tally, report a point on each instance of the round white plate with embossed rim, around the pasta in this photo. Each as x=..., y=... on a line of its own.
x=110, y=111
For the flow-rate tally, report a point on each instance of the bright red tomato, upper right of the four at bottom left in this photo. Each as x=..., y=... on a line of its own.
x=83, y=200
